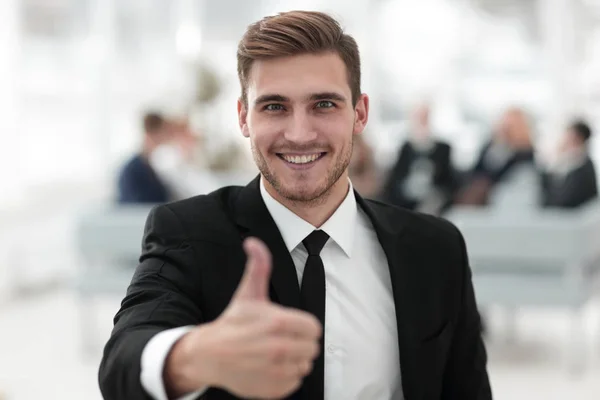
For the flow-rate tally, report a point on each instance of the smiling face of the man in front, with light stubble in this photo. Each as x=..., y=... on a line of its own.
x=301, y=123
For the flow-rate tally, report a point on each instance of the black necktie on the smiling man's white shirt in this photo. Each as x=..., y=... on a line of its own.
x=312, y=297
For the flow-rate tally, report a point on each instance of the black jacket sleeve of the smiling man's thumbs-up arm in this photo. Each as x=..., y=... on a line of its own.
x=162, y=295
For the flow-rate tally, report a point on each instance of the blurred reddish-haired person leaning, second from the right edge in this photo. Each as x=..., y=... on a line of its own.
x=509, y=149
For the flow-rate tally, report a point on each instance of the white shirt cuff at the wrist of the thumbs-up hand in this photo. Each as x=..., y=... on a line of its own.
x=153, y=362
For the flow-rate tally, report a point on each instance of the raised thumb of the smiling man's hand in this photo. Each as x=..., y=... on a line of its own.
x=255, y=282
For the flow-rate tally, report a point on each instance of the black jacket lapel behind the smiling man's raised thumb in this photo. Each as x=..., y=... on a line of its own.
x=252, y=216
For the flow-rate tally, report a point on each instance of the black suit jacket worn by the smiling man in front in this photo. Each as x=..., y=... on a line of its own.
x=192, y=262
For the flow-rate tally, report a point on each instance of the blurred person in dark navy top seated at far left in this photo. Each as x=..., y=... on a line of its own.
x=138, y=181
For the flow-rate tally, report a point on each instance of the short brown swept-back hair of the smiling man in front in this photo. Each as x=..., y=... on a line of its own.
x=294, y=33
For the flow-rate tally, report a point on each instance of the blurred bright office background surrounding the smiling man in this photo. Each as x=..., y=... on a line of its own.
x=482, y=111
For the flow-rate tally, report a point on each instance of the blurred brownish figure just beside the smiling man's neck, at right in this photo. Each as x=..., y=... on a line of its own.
x=362, y=169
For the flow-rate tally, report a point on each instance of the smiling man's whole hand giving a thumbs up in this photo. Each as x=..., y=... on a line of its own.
x=255, y=349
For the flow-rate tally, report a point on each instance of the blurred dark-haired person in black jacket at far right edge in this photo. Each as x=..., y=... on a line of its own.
x=570, y=179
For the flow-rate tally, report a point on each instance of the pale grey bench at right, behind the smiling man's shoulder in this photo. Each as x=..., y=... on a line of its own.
x=531, y=257
